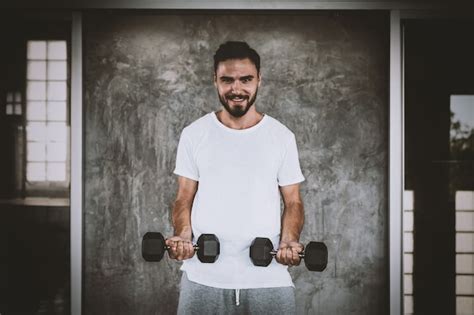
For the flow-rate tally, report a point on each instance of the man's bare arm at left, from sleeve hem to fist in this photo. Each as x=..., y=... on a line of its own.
x=181, y=243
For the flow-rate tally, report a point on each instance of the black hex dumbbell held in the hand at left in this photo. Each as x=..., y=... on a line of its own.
x=154, y=247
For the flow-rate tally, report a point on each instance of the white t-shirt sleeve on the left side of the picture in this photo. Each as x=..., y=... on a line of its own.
x=185, y=160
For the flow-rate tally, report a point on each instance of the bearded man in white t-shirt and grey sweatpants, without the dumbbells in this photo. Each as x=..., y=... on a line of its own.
x=232, y=166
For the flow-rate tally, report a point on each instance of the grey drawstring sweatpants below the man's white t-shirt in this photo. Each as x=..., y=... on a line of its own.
x=195, y=298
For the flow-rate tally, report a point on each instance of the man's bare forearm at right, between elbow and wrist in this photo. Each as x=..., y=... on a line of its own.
x=292, y=221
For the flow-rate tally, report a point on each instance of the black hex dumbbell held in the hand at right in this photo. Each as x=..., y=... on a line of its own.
x=315, y=254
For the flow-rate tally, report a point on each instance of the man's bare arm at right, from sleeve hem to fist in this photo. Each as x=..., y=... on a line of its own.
x=291, y=226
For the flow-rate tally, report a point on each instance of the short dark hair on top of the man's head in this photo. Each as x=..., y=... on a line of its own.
x=236, y=50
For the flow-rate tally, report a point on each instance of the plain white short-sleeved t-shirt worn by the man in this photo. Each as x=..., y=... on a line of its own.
x=238, y=198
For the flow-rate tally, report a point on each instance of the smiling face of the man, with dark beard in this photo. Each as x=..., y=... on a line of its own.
x=237, y=83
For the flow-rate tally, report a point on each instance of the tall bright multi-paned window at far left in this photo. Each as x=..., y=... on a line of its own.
x=46, y=111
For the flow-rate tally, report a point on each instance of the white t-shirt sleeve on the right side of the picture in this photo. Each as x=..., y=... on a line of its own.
x=289, y=172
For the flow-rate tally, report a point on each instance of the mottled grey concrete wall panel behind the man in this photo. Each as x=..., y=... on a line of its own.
x=325, y=75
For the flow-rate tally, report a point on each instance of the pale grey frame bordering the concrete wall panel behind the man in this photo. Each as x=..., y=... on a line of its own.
x=398, y=11
